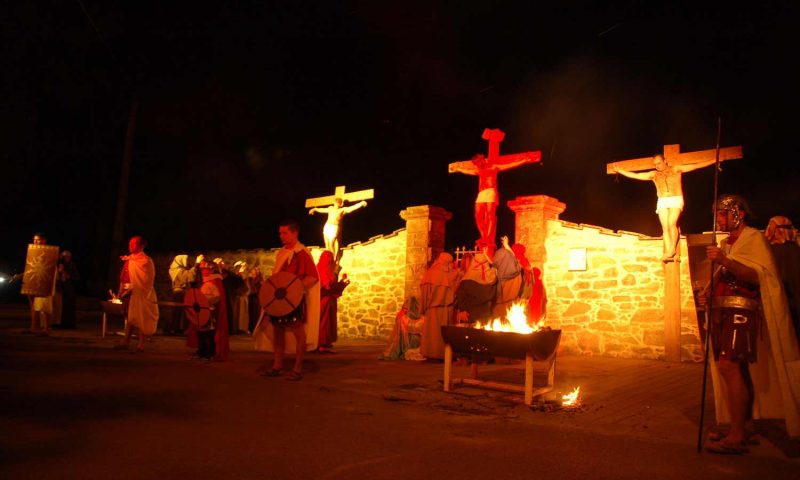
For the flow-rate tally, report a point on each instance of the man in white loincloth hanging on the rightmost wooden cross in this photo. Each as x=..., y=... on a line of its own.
x=670, y=196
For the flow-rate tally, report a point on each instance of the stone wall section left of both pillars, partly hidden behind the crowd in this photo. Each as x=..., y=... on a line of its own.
x=376, y=270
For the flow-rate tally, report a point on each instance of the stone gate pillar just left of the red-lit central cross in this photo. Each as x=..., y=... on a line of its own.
x=425, y=228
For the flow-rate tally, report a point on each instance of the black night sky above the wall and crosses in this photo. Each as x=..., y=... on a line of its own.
x=248, y=108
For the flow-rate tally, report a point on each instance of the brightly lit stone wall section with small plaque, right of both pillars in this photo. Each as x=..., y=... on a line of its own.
x=614, y=307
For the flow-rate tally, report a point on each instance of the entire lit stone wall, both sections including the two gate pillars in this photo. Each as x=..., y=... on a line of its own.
x=614, y=307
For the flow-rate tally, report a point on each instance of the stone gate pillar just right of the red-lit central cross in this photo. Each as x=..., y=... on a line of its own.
x=530, y=225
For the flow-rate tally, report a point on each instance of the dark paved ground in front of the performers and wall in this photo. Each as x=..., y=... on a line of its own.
x=70, y=407
